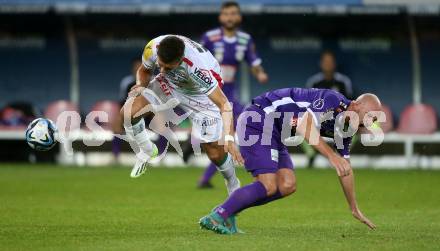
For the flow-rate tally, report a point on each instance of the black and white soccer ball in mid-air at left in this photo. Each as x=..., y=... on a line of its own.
x=41, y=134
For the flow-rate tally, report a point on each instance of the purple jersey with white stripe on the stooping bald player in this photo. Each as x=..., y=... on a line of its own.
x=319, y=102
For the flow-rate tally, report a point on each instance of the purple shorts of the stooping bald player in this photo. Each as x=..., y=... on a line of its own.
x=259, y=158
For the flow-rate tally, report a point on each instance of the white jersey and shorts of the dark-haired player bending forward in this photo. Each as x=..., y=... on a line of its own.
x=191, y=83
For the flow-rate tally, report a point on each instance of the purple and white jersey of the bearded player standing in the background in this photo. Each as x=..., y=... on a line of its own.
x=230, y=52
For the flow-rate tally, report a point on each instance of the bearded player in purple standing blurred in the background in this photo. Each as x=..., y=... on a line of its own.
x=230, y=46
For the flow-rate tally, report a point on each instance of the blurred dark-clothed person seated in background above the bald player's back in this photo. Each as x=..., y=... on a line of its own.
x=329, y=78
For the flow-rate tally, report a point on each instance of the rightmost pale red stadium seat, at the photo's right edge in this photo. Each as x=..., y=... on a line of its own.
x=418, y=119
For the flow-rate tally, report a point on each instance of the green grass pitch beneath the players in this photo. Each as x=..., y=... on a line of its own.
x=55, y=208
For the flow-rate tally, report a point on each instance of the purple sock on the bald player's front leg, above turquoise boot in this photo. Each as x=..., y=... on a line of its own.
x=241, y=199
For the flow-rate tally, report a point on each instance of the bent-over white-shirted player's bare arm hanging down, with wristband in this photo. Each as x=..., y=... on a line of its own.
x=218, y=97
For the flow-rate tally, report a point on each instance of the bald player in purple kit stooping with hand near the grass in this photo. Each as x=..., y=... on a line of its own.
x=308, y=112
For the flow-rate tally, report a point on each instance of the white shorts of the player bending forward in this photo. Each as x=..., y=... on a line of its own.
x=207, y=123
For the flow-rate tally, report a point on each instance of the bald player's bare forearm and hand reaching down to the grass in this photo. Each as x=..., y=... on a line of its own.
x=347, y=183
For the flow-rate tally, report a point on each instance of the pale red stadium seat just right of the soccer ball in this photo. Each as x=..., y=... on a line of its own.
x=54, y=109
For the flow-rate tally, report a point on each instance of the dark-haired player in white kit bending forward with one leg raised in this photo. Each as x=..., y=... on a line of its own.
x=188, y=73
